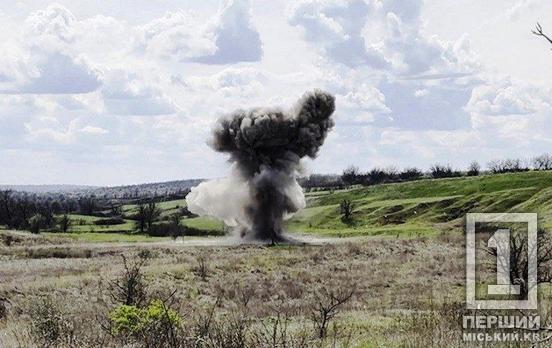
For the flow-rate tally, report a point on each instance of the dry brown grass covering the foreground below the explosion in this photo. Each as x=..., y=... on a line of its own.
x=403, y=288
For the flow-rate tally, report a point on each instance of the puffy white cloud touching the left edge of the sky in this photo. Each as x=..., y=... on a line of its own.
x=37, y=62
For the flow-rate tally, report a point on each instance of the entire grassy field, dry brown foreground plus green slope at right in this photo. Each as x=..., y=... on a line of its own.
x=405, y=269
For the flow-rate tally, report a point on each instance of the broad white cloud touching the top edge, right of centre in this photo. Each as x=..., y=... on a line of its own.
x=385, y=36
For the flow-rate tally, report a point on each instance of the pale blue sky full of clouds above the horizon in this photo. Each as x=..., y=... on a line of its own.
x=127, y=92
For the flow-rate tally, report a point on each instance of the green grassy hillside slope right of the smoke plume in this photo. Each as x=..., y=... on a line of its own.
x=426, y=206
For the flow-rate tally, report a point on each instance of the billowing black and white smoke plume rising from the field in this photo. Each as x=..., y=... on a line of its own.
x=266, y=146
